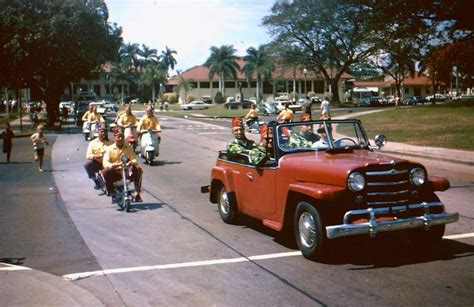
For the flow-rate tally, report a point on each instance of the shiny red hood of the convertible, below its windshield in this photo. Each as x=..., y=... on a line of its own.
x=332, y=168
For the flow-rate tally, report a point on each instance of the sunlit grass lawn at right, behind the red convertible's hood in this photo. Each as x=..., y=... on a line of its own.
x=449, y=125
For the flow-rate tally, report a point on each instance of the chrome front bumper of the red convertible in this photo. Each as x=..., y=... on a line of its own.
x=372, y=227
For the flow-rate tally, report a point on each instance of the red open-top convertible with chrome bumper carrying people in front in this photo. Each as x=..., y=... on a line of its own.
x=339, y=187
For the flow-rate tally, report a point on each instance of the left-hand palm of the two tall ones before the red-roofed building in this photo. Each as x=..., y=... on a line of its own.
x=222, y=62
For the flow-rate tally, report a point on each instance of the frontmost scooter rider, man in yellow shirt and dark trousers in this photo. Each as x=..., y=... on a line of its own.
x=113, y=165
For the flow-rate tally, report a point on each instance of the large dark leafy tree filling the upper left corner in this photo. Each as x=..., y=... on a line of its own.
x=51, y=43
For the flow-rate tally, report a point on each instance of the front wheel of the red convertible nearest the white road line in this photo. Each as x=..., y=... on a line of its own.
x=309, y=232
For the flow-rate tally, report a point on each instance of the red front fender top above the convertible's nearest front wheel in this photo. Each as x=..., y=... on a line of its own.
x=317, y=191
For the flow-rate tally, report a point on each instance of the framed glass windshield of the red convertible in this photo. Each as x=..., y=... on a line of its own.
x=321, y=135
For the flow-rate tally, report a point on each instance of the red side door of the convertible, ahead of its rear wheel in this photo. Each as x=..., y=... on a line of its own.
x=256, y=190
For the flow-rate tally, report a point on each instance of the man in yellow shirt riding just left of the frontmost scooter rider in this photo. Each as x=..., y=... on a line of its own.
x=95, y=154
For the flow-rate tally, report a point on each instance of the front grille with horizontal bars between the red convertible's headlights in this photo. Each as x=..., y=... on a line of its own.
x=388, y=184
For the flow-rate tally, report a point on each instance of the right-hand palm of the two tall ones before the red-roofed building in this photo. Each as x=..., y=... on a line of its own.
x=258, y=63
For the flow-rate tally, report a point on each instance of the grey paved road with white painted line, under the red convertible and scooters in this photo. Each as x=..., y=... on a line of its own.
x=174, y=249
